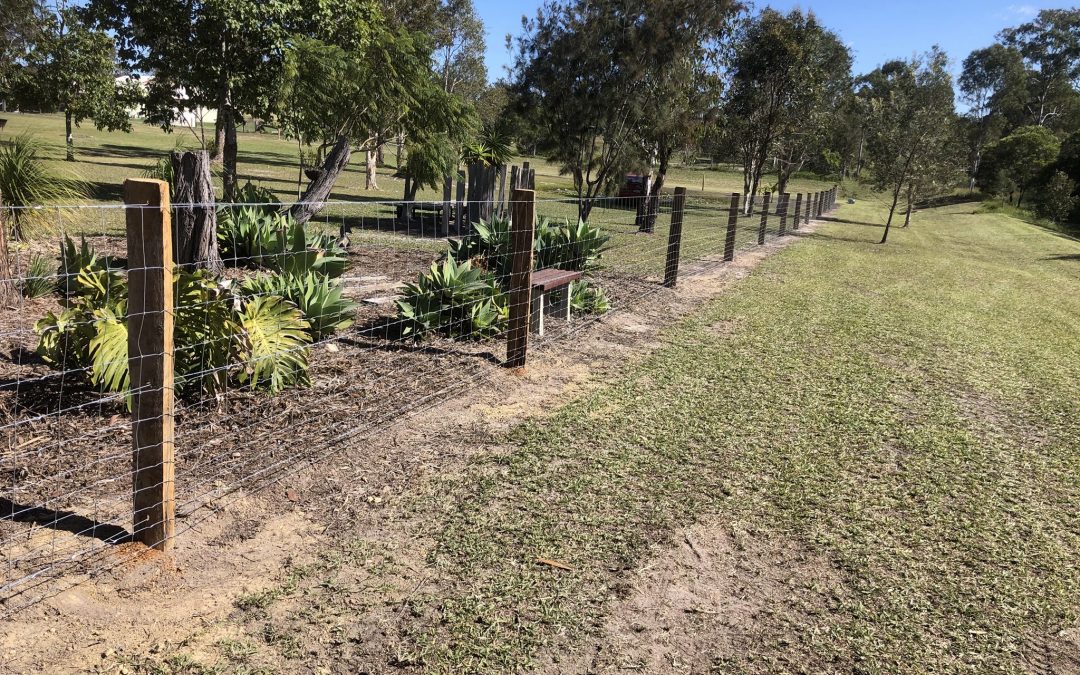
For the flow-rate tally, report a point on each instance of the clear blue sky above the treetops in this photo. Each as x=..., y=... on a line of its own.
x=876, y=31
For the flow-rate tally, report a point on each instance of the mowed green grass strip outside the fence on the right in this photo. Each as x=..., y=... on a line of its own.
x=909, y=413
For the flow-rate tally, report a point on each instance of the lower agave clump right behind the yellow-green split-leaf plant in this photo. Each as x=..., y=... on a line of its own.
x=318, y=296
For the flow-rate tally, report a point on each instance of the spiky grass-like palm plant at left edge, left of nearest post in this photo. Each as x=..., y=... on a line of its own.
x=26, y=180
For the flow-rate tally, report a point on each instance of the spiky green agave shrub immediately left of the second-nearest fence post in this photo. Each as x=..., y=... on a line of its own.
x=455, y=300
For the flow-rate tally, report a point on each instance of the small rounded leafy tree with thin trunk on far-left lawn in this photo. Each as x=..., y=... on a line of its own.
x=72, y=69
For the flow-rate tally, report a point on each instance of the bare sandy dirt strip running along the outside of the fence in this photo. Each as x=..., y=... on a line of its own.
x=253, y=547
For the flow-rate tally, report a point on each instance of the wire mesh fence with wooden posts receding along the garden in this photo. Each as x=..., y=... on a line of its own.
x=141, y=393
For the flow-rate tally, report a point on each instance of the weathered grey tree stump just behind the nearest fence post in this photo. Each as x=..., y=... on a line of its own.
x=195, y=220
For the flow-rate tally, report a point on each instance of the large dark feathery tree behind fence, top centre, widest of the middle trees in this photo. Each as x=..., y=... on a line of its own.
x=604, y=86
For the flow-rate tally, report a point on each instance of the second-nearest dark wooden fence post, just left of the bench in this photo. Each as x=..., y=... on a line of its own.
x=522, y=224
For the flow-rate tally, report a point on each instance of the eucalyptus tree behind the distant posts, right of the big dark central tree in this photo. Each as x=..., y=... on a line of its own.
x=789, y=75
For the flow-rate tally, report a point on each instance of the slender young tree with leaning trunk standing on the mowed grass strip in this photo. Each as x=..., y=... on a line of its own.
x=912, y=110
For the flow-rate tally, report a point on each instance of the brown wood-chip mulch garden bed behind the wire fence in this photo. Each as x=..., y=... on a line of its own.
x=65, y=451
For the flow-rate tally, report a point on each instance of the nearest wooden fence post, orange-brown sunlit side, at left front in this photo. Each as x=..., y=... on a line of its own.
x=151, y=360
